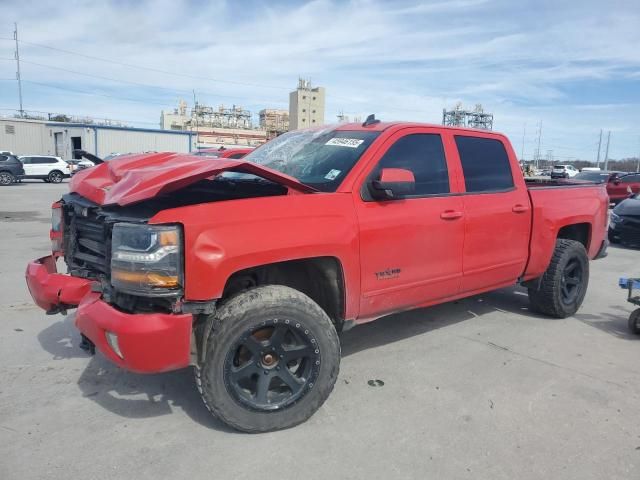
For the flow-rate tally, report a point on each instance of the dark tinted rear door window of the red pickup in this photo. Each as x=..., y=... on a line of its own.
x=485, y=164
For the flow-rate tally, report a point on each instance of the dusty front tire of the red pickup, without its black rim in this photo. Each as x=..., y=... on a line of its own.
x=251, y=309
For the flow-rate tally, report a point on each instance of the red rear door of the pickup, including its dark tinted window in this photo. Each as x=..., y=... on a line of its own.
x=497, y=215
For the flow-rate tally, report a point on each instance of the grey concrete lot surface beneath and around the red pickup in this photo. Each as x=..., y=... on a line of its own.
x=480, y=388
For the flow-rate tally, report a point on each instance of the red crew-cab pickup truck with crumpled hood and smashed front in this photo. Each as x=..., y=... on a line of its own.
x=248, y=269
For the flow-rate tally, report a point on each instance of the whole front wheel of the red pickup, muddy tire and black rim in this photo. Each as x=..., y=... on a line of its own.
x=272, y=359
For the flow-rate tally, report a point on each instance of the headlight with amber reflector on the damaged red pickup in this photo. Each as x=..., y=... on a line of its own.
x=146, y=259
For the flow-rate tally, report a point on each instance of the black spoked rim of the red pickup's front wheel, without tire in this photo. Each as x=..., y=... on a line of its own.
x=272, y=366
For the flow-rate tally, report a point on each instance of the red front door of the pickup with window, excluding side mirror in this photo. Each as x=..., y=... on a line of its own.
x=411, y=247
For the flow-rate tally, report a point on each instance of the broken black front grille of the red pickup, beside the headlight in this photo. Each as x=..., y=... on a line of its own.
x=87, y=242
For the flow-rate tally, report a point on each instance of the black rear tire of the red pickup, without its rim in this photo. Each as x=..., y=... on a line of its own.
x=548, y=299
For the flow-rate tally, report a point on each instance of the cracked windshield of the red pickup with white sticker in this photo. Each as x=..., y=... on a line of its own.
x=319, y=158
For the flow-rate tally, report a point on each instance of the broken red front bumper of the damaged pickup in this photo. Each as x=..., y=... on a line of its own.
x=147, y=342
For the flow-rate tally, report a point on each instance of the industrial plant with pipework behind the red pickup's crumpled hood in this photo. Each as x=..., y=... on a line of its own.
x=213, y=127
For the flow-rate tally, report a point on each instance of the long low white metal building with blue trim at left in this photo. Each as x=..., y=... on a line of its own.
x=41, y=137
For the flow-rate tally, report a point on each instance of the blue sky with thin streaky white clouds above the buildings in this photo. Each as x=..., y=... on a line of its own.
x=571, y=66
